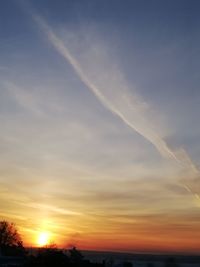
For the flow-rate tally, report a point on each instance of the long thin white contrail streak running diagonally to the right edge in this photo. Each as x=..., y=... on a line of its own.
x=141, y=125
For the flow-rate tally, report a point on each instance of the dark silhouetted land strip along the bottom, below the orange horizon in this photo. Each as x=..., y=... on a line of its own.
x=53, y=257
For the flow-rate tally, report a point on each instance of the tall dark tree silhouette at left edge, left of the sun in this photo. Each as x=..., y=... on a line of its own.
x=10, y=240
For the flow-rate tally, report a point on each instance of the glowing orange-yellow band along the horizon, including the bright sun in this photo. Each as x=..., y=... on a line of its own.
x=141, y=238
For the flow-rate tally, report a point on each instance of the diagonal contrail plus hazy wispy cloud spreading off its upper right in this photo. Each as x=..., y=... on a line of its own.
x=106, y=82
